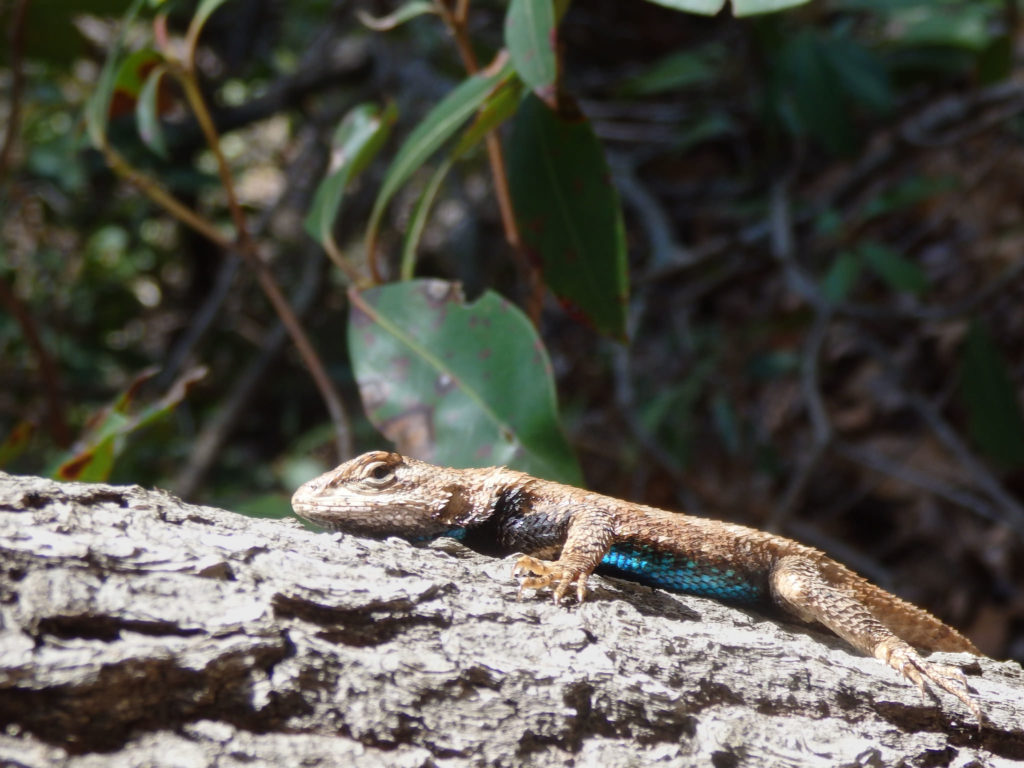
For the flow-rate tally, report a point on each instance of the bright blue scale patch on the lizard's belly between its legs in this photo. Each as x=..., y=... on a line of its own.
x=680, y=575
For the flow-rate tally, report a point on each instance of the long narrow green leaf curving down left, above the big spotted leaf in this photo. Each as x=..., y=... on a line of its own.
x=428, y=138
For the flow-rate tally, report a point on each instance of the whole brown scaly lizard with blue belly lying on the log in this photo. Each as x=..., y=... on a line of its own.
x=566, y=534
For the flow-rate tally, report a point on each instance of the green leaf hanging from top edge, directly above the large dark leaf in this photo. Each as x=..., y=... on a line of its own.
x=530, y=37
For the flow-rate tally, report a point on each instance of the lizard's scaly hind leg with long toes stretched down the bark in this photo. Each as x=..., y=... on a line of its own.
x=799, y=587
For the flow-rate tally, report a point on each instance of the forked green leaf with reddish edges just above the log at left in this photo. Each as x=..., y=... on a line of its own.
x=92, y=460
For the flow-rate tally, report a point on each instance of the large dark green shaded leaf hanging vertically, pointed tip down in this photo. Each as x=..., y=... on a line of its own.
x=569, y=215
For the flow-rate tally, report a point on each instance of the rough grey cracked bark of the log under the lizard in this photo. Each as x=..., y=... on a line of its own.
x=139, y=630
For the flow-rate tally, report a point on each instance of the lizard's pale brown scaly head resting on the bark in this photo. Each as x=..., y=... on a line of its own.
x=382, y=494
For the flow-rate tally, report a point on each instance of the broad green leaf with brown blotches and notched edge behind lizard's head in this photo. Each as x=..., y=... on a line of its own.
x=464, y=386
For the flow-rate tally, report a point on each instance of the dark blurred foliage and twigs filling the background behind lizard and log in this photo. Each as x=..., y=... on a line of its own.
x=773, y=261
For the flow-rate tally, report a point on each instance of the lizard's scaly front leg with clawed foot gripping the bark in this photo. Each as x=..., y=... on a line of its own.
x=589, y=537
